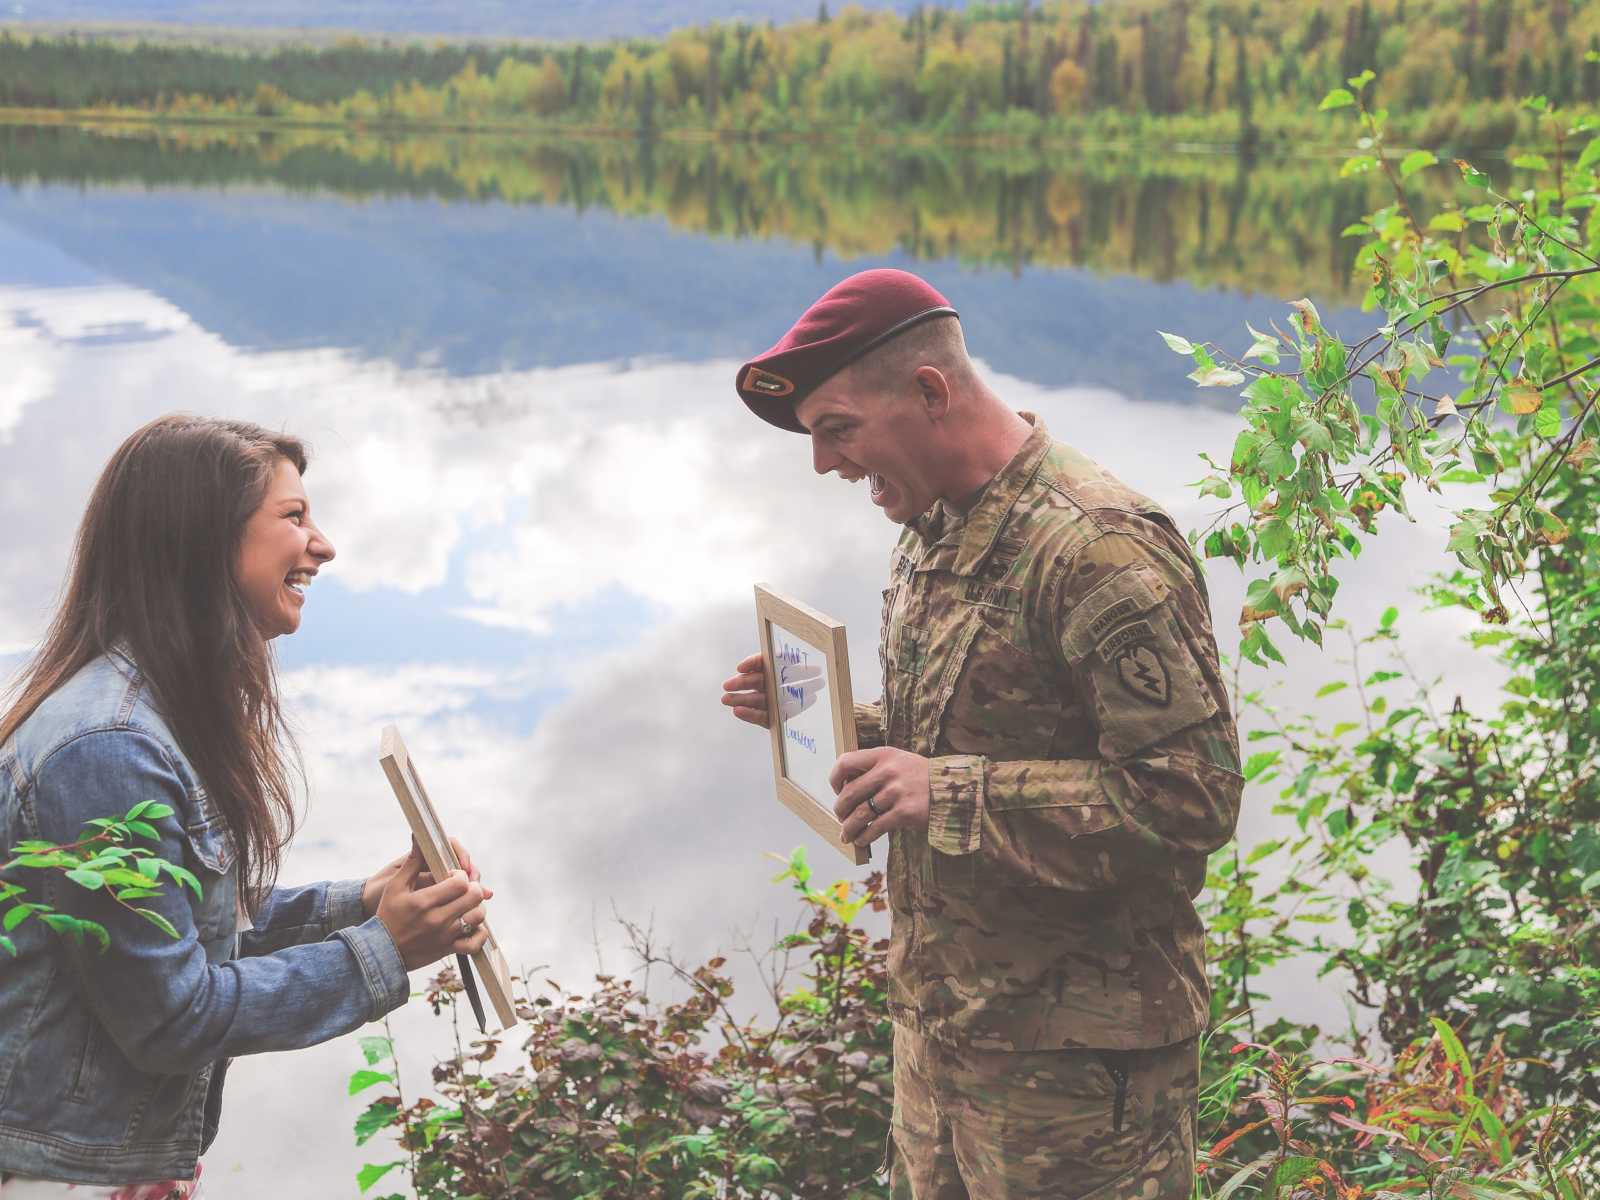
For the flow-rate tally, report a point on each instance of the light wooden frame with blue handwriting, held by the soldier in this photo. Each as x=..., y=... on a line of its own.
x=791, y=636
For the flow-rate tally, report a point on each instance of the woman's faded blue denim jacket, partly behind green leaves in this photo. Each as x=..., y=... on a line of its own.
x=113, y=1063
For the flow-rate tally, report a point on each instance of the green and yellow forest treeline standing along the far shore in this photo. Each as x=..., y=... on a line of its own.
x=1452, y=71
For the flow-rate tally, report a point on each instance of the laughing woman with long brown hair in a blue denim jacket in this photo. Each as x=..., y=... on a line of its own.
x=156, y=682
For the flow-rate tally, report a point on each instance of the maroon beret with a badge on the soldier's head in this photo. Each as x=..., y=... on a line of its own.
x=852, y=318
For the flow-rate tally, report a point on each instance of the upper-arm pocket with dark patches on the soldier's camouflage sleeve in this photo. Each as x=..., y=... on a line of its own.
x=1140, y=666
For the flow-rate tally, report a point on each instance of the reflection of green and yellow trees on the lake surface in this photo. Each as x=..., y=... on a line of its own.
x=1210, y=220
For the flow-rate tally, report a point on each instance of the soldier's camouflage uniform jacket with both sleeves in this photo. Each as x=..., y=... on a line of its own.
x=1052, y=654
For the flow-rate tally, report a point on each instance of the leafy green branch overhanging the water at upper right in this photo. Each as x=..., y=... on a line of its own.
x=1346, y=428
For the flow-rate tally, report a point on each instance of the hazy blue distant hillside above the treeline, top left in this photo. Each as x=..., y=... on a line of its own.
x=562, y=20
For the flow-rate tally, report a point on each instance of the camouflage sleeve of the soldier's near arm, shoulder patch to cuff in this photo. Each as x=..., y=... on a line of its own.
x=1134, y=641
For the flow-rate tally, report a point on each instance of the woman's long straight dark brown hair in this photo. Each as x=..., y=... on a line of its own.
x=153, y=570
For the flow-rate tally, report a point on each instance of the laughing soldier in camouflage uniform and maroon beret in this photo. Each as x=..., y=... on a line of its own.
x=1052, y=761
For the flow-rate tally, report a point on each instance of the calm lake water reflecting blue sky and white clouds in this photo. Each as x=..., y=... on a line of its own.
x=550, y=510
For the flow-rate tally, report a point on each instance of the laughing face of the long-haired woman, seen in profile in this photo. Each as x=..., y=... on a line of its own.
x=281, y=553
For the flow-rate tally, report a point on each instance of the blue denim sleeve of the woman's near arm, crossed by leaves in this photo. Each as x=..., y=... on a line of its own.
x=159, y=998
